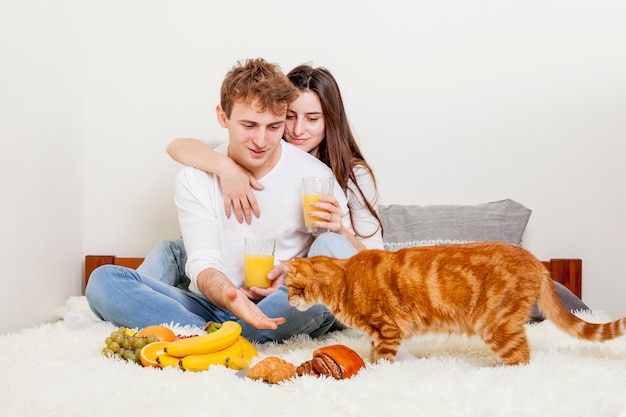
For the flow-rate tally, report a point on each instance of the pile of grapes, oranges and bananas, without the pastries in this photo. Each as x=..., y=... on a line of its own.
x=159, y=347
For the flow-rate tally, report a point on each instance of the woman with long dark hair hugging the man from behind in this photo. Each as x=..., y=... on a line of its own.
x=316, y=123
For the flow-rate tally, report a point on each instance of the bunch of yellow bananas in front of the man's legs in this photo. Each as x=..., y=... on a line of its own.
x=222, y=345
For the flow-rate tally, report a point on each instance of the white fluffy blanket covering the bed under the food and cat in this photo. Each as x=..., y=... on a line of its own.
x=56, y=370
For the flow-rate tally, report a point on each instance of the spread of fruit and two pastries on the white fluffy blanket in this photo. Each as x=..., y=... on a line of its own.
x=160, y=347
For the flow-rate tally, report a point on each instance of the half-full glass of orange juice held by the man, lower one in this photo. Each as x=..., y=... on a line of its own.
x=258, y=260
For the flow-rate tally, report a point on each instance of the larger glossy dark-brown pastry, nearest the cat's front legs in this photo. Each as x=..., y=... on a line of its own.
x=337, y=361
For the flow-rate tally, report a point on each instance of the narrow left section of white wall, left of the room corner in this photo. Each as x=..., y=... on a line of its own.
x=41, y=159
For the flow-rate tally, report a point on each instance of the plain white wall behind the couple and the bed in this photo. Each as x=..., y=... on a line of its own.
x=466, y=102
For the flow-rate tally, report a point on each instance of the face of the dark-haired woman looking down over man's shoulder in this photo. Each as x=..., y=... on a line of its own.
x=305, y=127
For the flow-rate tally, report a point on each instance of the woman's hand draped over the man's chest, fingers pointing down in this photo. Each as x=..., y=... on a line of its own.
x=237, y=184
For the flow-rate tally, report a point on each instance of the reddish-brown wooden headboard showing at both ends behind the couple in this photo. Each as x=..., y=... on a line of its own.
x=568, y=272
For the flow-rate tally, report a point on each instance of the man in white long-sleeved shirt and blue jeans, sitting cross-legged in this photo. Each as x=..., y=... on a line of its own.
x=254, y=99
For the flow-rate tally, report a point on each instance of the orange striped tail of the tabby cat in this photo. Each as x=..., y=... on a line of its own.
x=552, y=307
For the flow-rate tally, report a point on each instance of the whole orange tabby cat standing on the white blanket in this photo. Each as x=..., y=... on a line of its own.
x=478, y=288
